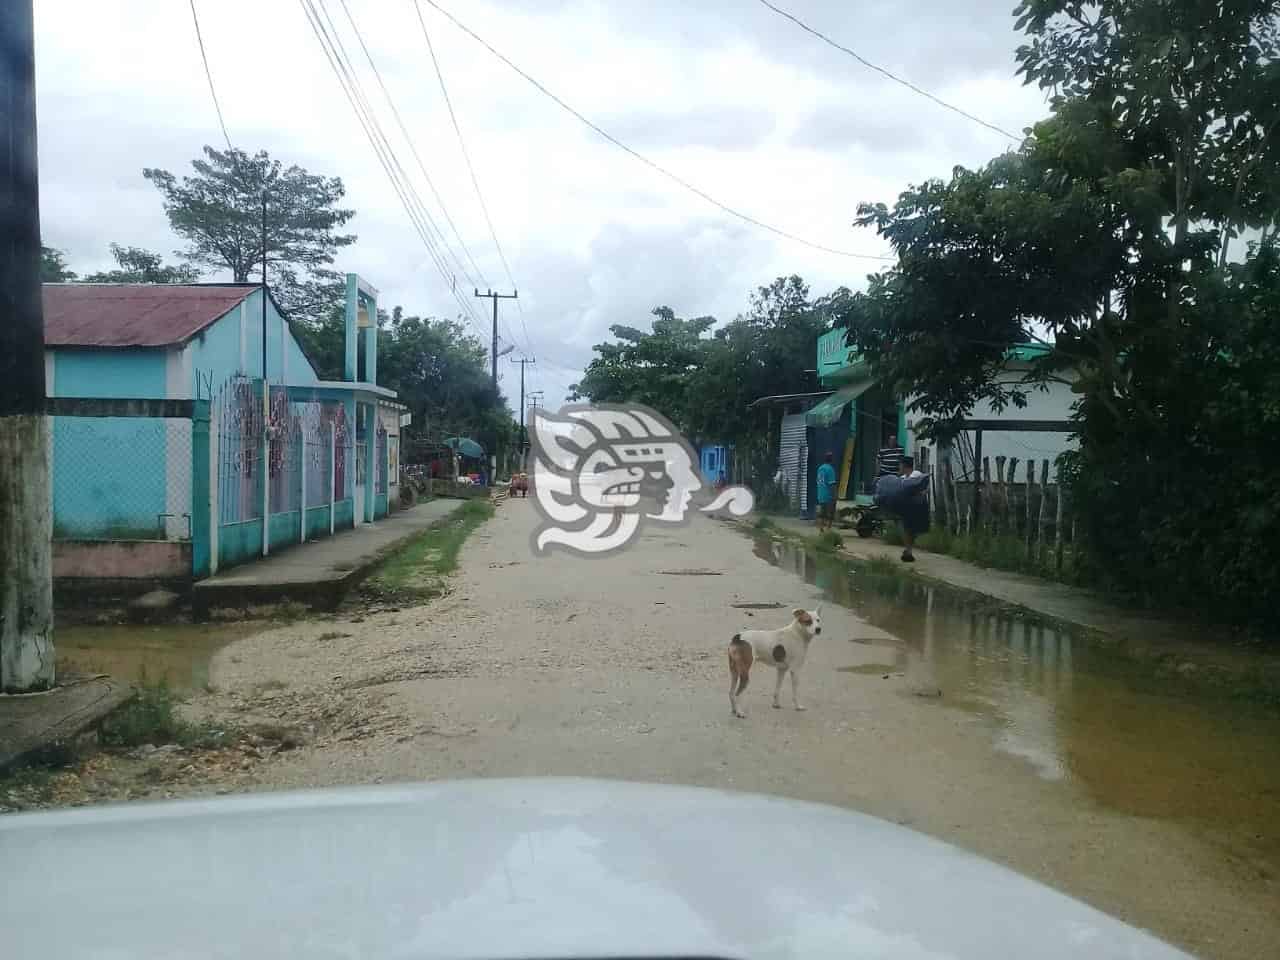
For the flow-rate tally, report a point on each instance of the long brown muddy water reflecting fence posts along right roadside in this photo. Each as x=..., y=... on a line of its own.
x=1080, y=714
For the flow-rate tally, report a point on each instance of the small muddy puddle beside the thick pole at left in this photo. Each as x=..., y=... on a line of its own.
x=179, y=653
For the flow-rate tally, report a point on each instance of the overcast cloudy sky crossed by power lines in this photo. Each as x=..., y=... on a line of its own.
x=723, y=93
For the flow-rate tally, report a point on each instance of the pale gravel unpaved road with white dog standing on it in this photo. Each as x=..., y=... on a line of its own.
x=616, y=669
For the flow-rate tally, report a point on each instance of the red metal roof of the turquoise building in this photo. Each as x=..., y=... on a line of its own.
x=134, y=314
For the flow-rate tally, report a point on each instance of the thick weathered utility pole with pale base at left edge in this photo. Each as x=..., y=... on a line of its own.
x=26, y=523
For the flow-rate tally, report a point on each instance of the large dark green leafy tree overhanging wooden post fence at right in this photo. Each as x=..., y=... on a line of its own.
x=1107, y=235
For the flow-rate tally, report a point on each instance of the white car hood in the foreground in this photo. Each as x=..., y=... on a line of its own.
x=520, y=868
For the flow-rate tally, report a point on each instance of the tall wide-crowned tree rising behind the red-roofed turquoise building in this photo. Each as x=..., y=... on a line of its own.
x=220, y=211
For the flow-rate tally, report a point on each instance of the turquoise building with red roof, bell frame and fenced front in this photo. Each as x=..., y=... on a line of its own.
x=136, y=479
